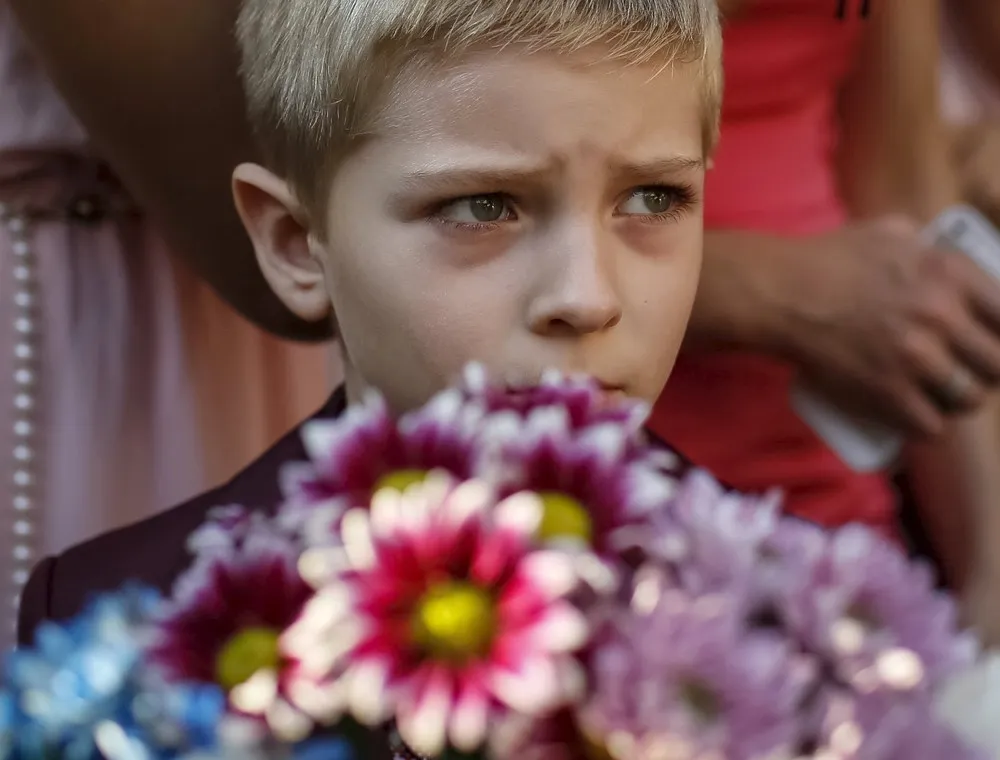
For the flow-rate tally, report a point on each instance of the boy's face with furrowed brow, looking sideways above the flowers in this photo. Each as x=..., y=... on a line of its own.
x=528, y=211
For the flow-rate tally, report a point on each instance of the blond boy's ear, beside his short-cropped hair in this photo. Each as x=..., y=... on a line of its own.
x=276, y=223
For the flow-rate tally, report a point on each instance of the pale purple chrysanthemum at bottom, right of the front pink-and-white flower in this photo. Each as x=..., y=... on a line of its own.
x=683, y=673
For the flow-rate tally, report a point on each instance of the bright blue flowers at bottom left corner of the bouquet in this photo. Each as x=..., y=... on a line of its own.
x=81, y=692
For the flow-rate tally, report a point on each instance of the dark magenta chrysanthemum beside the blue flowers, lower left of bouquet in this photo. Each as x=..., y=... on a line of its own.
x=224, y=620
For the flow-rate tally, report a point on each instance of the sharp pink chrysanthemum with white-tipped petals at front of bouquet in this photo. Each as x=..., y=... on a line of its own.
x=443, y=616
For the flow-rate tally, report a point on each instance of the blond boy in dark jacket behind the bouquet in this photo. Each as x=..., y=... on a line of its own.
x=510, y=181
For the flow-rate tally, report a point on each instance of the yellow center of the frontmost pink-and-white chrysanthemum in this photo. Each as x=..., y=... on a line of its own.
x=455, y=621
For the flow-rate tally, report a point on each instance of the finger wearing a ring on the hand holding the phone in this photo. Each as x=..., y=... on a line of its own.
x=937, y=370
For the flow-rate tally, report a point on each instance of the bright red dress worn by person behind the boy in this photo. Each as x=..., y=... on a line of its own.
x=785, y=61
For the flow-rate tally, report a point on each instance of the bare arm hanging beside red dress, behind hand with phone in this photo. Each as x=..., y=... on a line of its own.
x=896, y=159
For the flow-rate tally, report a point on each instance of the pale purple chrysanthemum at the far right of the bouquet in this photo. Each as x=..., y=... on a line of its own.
x=875, y=615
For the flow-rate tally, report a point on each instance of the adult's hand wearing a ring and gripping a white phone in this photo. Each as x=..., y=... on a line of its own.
x=905, y=332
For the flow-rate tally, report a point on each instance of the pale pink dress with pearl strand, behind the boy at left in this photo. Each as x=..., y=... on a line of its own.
x=126, y=386
